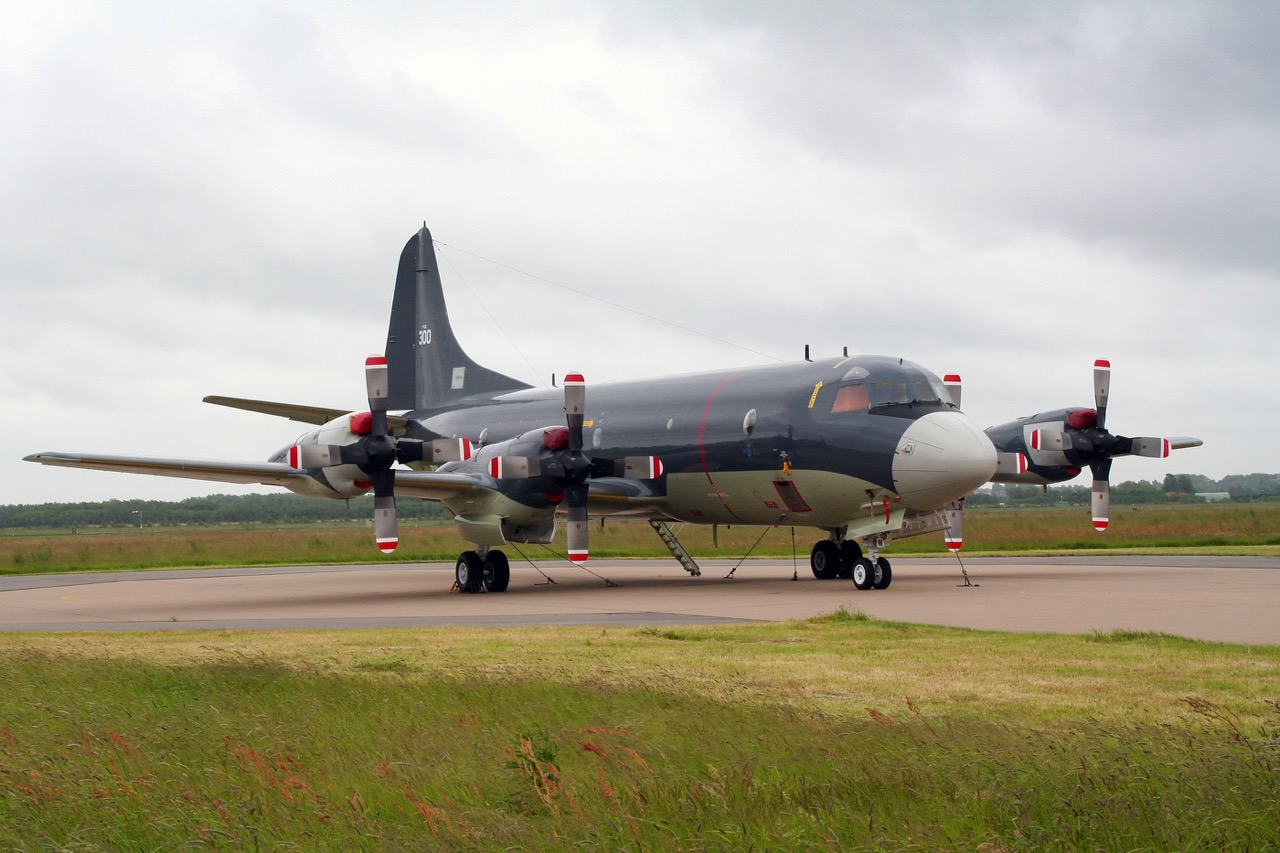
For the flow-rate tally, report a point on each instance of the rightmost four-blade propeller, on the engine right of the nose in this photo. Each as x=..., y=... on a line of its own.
x=1086, y=441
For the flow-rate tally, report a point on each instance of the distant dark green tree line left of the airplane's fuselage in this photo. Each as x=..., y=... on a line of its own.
x=216, y=509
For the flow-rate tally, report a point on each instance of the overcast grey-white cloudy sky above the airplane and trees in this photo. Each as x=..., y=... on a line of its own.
x=211, y=199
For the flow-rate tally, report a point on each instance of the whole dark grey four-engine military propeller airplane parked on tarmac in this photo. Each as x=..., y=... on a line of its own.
x=865, y=449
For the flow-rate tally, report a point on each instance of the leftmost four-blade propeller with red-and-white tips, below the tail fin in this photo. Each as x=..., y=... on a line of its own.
x=377, y=451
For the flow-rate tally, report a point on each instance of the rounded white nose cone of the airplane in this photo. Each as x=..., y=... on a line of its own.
x=940, y=459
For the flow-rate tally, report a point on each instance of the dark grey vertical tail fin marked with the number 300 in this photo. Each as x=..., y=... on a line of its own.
x=427, y=366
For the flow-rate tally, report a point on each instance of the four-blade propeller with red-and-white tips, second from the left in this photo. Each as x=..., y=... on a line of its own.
x=570, y=469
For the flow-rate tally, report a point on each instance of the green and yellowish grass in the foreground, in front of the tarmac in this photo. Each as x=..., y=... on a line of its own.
x=836, y=733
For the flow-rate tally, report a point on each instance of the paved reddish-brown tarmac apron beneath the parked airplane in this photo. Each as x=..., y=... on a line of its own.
x=1232, y=600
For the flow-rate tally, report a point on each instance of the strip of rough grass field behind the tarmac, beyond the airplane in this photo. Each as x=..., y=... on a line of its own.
x=1252, y=528
